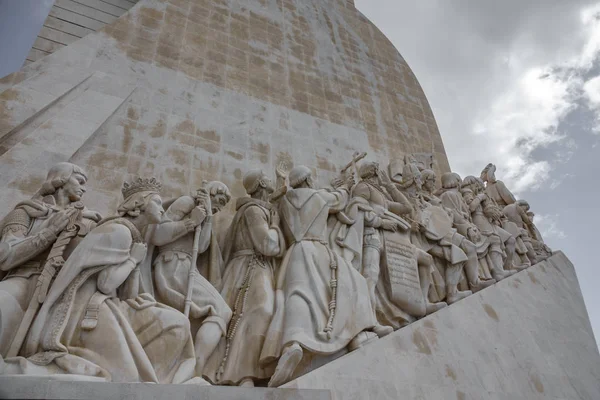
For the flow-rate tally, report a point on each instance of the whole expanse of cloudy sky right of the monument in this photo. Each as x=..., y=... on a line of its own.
x=516, y=83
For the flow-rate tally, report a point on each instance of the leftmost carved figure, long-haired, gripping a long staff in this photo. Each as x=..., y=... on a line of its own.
x=28, y=234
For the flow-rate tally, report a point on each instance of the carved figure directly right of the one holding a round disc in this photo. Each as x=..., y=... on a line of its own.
x=489, y=247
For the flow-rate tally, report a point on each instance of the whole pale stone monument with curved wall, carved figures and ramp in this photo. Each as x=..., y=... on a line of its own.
x=351, y=274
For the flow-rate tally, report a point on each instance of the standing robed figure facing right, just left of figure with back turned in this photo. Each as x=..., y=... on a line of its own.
x=254, y=244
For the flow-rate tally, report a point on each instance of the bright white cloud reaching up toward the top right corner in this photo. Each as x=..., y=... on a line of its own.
x=526, y=115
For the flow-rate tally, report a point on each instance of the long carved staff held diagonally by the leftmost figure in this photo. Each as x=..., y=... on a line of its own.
x=53, y=264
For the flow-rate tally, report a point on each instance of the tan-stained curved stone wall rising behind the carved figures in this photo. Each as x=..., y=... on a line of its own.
x=188, y=90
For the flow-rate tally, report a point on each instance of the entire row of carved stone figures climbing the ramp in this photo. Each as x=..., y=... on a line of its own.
x=152, y=296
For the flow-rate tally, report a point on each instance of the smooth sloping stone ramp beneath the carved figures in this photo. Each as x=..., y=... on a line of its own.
x=527, y=337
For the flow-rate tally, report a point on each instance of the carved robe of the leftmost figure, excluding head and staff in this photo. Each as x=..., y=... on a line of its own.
x=23, y=251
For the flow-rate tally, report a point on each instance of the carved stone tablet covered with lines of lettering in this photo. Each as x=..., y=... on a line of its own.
x=401, y=269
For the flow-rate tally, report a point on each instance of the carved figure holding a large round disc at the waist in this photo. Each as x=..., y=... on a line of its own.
x=434, y=233
